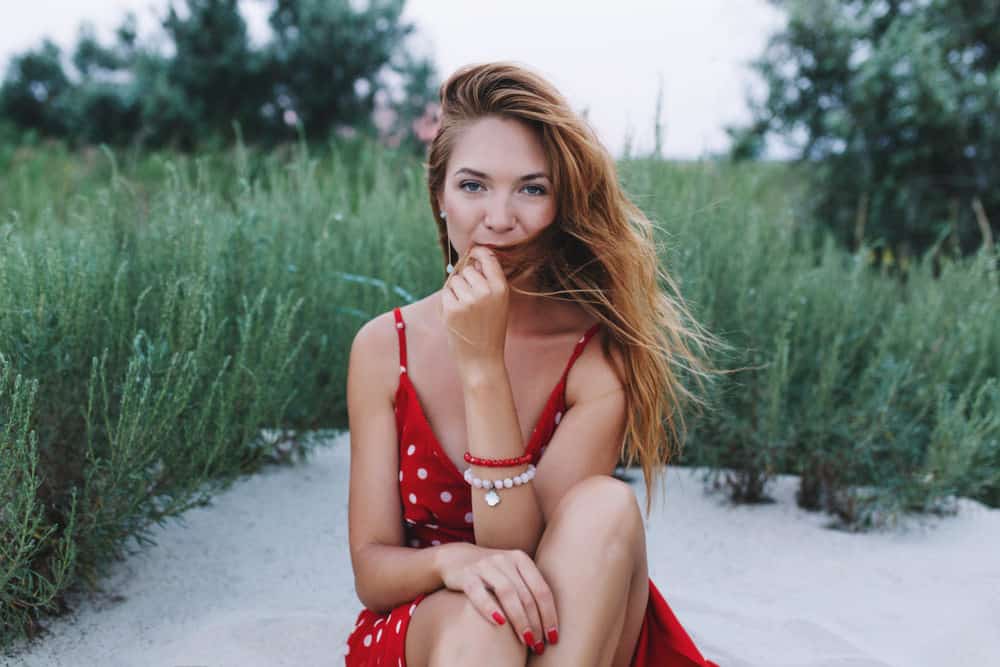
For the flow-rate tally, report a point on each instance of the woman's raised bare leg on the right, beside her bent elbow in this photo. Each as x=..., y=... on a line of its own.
x=593, y=555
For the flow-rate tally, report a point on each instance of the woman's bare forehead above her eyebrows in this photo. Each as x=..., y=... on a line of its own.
x=499, y=147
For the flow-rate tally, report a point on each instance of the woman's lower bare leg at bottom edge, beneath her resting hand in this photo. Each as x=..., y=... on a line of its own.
x=446, y=623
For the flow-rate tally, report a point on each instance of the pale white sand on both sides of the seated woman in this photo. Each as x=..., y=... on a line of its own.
x=262, y=576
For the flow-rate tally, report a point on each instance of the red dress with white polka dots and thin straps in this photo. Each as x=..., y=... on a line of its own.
x=437, y=509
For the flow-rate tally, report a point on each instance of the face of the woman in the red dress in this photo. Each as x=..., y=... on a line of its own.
x=497, y=189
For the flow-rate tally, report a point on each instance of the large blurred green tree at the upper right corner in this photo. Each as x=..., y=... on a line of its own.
x=895, y=107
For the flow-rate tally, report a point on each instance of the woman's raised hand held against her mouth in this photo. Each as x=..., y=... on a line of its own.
x=474, y=303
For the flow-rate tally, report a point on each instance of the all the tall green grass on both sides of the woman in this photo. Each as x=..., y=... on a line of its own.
x=168, y=324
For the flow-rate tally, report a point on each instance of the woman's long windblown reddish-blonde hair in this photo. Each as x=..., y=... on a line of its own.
x=600, y=252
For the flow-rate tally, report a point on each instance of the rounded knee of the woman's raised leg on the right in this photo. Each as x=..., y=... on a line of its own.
x=603, y=507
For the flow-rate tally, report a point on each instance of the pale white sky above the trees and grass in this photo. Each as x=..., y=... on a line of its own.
x=607, y=58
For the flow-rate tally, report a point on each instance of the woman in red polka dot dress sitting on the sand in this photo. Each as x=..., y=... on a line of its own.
x=455, y=392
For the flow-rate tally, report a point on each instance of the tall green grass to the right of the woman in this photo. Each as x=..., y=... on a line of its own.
x=881, y=393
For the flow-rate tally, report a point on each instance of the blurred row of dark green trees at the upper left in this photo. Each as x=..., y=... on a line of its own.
x=322, y=69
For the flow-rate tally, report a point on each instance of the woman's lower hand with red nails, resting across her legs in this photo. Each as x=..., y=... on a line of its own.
x=501, y=580
